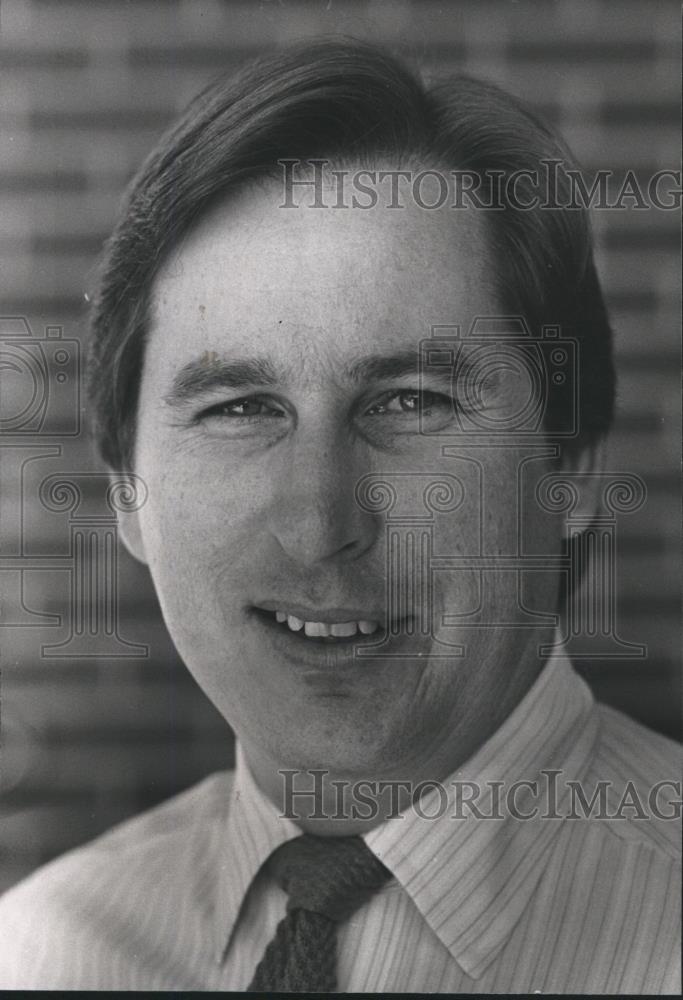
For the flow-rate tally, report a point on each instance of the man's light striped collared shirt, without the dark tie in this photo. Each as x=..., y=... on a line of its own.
x=178, y=899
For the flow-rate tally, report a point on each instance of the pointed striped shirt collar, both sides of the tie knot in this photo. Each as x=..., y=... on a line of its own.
x=471, y=879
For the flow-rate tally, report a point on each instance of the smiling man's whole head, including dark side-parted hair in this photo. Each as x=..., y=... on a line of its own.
x=255, y=364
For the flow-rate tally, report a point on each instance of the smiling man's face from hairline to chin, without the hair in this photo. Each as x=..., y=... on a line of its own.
x=277, y=376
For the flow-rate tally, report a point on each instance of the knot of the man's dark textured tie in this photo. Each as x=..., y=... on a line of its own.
x=332, y=876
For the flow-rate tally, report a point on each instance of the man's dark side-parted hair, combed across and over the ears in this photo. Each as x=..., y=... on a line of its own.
x=346, y=101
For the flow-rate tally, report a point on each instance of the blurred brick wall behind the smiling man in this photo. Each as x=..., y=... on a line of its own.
x=86, y=88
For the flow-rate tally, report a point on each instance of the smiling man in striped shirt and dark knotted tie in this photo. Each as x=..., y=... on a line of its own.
x=335, y=520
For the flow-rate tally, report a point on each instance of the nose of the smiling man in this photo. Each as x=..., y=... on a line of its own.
x=314, y=515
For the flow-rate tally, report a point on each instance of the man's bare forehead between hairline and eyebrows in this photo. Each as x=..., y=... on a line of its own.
x=305, y=281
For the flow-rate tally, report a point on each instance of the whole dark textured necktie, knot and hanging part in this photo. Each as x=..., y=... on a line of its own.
x=327, y=879
